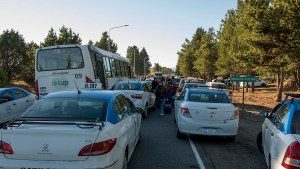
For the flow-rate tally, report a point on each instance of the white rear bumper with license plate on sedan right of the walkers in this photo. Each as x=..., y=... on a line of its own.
x=188, y=126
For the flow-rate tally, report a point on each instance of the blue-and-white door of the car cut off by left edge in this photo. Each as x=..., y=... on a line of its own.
x=7, y=106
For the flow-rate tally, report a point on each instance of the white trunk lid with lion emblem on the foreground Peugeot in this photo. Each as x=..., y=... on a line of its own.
x=48, y=142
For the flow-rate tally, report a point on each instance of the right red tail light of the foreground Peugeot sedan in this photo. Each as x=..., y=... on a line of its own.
x=99, y=148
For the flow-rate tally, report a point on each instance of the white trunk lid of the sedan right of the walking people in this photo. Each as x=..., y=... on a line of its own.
x=212, y=113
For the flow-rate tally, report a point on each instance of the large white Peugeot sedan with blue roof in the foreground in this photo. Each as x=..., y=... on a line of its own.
x=73, y=130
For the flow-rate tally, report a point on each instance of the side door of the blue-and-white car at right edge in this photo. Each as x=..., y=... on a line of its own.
x=272, y=127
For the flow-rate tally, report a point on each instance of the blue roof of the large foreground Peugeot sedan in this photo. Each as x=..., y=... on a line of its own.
x=99, y=94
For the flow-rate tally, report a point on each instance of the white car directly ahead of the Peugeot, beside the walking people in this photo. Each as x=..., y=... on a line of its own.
x=139, y=93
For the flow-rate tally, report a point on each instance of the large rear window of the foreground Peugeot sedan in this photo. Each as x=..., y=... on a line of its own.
x=68, y=109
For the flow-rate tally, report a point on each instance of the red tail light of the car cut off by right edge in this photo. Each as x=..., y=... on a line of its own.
x=291, y=159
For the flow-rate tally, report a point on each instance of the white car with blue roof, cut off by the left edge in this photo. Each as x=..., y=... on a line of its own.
x=13, y=102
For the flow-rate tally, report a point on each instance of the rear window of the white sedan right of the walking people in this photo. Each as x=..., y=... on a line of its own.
x=208, y=98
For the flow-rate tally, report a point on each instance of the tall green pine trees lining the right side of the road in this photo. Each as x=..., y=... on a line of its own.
x=259, y=38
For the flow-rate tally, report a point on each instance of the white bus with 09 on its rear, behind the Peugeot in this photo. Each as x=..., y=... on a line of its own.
x=66, y=67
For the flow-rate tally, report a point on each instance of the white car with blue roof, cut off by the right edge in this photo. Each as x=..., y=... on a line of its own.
x=280, y=134
